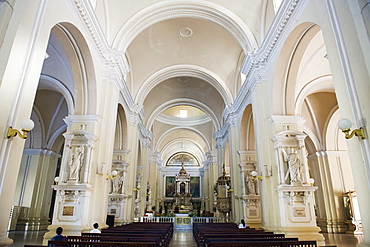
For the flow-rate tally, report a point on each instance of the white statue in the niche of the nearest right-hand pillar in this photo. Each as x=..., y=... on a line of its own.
x=294, y=165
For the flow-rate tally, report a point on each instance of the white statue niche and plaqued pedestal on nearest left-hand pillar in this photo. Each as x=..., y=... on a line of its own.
x=74, y=191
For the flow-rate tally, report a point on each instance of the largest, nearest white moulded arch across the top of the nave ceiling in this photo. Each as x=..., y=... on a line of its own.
x=165, y=10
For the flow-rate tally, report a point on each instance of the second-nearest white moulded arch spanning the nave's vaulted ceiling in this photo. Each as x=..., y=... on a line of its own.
x=184, y=70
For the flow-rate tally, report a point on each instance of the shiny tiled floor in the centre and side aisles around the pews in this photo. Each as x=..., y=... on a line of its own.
x=182, y=238
